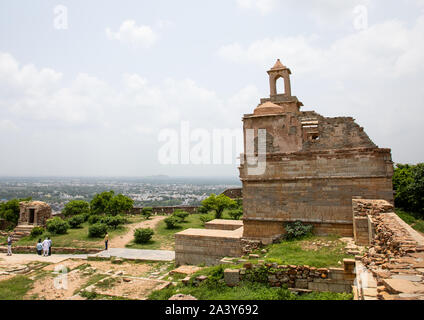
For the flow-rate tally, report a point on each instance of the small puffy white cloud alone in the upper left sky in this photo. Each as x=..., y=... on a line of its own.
x=132, y=34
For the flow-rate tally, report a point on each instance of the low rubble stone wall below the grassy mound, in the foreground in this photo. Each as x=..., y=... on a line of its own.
x=297, y=277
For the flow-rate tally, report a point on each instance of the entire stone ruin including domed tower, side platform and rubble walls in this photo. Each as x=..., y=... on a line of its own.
x=321, y=171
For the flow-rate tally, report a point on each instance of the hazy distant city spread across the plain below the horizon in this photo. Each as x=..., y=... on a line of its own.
x=145, y=191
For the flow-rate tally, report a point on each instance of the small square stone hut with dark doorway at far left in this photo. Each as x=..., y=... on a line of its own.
x=34, y=213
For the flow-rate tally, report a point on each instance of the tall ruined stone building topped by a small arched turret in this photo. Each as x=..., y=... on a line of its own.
x=310, y=169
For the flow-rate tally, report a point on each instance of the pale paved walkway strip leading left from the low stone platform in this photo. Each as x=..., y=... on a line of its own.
x=137, y=254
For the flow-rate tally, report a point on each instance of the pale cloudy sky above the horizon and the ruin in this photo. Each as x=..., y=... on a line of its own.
x=87, y=87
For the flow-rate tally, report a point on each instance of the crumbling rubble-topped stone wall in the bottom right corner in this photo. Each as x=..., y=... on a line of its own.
x=393, y=267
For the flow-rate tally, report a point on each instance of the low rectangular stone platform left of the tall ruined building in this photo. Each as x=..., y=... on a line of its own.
x=208, y=246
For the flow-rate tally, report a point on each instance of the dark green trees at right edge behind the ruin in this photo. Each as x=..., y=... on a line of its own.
x=408, y=184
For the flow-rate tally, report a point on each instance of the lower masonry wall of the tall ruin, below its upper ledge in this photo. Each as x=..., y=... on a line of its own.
x=314, y=187
